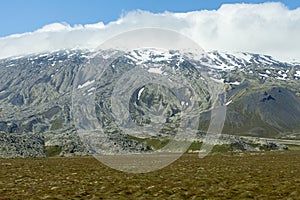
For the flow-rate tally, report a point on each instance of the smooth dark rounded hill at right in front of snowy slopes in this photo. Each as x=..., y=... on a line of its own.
x=270, y=112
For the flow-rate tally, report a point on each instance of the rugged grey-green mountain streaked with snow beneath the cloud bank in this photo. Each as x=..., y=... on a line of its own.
x=262, y=98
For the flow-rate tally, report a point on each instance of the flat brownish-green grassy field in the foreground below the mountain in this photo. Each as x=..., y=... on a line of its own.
x=269, y=175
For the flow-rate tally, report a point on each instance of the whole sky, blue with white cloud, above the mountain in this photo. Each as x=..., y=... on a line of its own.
x=34, y=26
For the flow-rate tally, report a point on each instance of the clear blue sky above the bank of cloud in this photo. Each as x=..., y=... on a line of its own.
x=18, y=16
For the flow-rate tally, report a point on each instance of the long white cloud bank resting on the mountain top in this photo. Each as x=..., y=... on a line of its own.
x=268, y=28
